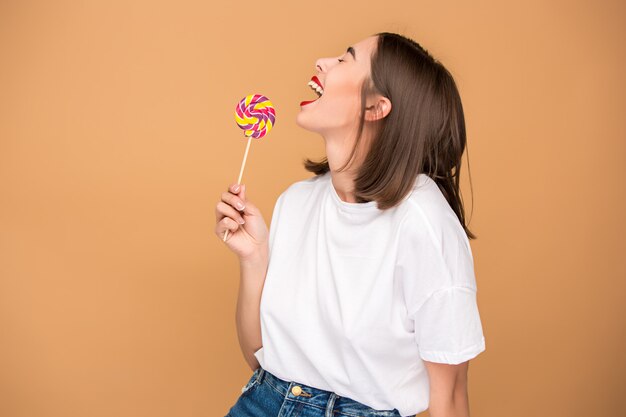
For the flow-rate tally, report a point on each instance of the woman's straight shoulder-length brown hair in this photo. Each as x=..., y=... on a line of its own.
x=423, y=133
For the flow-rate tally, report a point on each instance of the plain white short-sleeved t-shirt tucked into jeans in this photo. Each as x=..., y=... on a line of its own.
x=355, y=298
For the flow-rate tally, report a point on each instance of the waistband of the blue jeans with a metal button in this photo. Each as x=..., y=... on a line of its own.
x=320, y=398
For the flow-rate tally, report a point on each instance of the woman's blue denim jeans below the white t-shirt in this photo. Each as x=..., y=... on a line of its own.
x=266, y=395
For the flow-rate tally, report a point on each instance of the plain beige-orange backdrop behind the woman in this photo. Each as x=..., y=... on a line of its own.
x=117, y=138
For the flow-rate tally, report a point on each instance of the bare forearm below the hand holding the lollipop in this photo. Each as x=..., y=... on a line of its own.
x=248, y=315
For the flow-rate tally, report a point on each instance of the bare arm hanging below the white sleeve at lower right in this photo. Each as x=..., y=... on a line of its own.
x=448, y=389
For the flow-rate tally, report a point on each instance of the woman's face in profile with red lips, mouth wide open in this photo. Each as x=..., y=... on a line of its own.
x=337, y=110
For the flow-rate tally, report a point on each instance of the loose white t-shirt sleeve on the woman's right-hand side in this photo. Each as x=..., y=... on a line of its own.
x=436, y=271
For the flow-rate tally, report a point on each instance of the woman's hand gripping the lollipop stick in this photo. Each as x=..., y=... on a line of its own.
x=248, y=234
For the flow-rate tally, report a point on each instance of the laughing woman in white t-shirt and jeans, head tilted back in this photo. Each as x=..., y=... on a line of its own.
x=368, y=303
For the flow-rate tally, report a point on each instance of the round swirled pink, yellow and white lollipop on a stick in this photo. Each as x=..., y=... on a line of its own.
x=254, y=114
